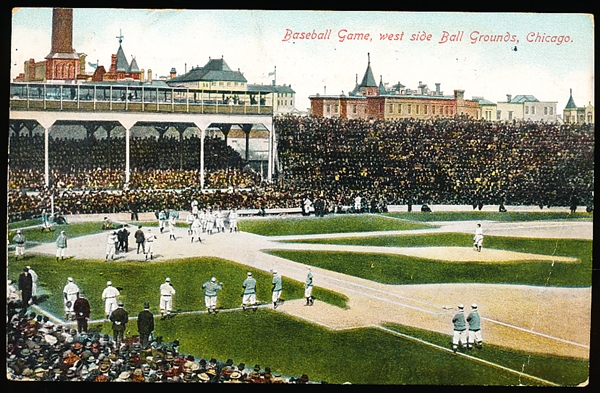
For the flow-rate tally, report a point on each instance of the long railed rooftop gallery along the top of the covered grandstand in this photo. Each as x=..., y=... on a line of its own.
x=125, y=98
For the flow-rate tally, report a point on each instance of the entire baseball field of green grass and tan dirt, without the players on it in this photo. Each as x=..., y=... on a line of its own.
x=386, y=289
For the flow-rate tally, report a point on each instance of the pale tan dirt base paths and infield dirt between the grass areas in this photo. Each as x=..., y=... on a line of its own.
x=524, y=318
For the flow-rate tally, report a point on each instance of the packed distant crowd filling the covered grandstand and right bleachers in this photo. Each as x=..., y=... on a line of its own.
x=410, y=161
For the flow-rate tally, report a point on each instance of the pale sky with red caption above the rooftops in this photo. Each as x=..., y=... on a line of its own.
x=487, y=55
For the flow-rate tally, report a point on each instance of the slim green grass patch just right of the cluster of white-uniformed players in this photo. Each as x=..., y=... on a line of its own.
x=327, y=224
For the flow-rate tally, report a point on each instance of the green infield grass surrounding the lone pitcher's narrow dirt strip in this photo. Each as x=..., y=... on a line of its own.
x=402, y=270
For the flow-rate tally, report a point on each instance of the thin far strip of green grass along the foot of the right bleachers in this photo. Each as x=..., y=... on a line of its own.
x=492, y=216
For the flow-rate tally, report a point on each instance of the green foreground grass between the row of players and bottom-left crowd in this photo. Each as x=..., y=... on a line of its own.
x=359, y=356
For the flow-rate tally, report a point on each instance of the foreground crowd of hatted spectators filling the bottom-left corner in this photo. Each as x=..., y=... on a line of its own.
x=40, y=350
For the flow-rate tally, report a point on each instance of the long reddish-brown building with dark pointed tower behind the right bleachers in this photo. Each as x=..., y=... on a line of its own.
x=372, y=100
